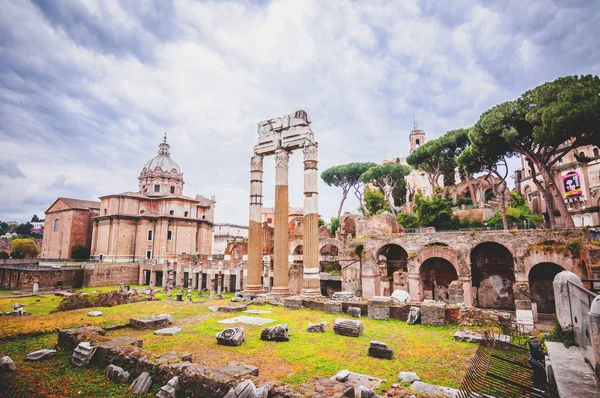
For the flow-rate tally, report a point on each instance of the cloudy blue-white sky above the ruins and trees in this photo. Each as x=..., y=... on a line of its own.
x=88, y=88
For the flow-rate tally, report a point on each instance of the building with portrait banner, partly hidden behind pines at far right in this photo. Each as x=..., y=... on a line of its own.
x=577, y=176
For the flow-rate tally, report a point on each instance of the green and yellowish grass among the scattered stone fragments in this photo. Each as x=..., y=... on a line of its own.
x=429, y=351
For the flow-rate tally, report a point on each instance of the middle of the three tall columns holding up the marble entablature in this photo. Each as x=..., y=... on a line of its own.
x=282, y=250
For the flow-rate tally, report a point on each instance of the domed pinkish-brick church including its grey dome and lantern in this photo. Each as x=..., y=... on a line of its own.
x=158, y=222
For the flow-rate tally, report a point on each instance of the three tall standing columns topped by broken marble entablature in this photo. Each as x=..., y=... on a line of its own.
x=280, y=137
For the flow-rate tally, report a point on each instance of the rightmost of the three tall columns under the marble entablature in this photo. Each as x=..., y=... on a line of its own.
x=311, y=285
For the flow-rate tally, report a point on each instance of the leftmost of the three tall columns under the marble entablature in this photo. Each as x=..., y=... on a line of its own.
x=253, y=285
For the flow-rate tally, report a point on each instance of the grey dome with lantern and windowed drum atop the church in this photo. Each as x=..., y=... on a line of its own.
x=161, y=174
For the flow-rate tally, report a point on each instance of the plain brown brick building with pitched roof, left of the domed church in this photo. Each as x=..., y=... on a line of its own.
x=68, y=222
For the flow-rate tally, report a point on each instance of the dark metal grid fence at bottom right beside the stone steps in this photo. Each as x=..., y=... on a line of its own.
x=503, y=370
